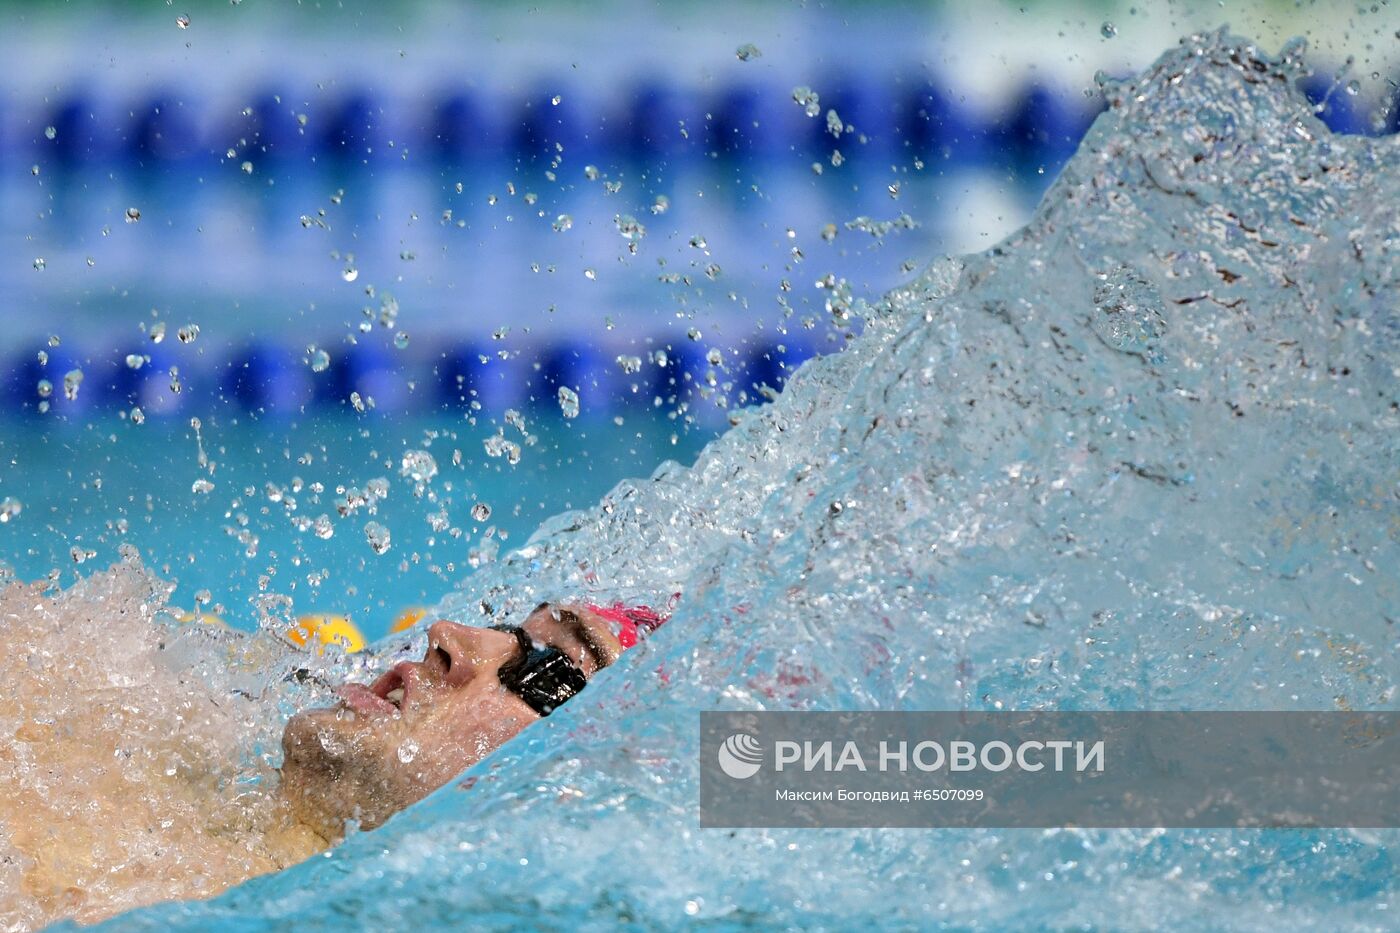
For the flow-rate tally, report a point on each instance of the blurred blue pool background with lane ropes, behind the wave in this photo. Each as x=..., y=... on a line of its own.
x=339, y=235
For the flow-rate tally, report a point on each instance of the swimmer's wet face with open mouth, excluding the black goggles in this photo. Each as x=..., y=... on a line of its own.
x=416, y=728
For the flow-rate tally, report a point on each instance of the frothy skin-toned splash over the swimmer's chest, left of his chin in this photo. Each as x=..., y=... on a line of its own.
x=136, y=756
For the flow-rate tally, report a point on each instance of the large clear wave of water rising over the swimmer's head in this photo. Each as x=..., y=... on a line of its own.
x=1140, y=456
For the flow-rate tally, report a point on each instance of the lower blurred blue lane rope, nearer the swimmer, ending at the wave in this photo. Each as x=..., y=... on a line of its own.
x=470, y=376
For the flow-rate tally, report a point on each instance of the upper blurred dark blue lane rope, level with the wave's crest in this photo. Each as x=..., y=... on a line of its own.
x=750, y=118
